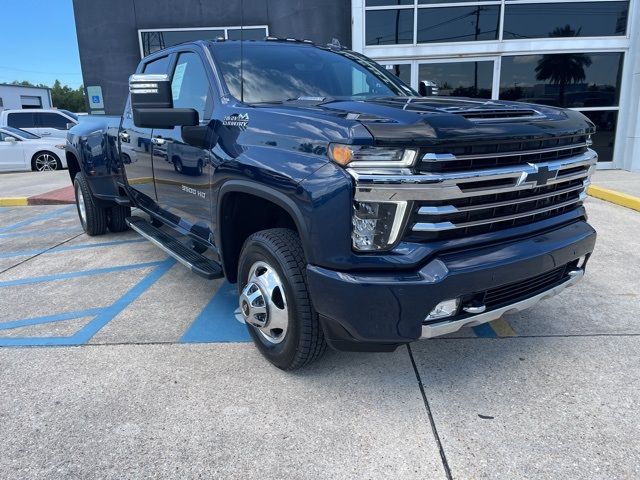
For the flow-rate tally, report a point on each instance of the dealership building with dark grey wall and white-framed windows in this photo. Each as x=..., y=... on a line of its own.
x=583, y=55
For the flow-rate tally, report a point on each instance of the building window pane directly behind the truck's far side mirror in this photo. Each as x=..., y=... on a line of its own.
x=459, y=79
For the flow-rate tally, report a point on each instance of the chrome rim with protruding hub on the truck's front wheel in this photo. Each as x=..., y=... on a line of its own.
x=263, y=303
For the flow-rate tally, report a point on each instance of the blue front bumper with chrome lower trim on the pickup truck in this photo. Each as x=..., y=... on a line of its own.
x=378, y=311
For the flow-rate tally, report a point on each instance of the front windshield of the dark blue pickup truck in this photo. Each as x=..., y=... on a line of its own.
x=276, y=73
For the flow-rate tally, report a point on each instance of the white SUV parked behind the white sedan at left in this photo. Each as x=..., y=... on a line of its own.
x=45, y=122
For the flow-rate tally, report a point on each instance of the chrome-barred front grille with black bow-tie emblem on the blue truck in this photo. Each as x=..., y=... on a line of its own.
x=446, y=205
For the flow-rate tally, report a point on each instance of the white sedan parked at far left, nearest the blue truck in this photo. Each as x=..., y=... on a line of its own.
x=21, y=150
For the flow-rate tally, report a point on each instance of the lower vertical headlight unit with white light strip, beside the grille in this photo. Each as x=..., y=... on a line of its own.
x=376, y=225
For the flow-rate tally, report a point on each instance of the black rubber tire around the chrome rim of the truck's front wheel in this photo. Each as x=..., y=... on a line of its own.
x=304, y=340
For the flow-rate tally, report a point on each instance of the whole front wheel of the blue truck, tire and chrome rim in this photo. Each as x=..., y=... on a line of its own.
x=274, y=299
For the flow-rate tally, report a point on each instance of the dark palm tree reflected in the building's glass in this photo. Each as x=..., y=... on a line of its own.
x=563, y=68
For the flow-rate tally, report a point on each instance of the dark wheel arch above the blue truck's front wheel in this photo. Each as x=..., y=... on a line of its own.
x=235, y=198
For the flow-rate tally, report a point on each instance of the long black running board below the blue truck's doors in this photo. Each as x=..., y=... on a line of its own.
x=198, y=264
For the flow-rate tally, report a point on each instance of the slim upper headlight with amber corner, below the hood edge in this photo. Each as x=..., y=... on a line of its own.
x=366, y=156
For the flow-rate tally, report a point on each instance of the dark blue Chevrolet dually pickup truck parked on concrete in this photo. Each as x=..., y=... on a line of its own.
x=349, y=210
